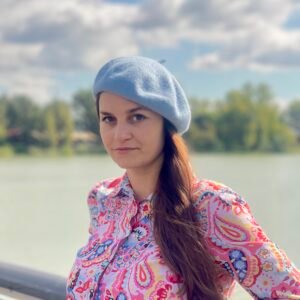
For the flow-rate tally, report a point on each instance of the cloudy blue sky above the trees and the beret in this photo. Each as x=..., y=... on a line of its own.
x=51, y=49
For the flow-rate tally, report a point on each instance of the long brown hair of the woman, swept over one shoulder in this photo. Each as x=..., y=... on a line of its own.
x=176, y=230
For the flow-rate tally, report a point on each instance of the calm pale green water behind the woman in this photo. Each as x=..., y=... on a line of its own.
x=44, y=217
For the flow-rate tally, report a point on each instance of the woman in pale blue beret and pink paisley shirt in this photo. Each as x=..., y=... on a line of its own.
x=158, y=232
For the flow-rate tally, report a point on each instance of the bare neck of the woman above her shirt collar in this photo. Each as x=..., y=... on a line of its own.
x=144, y=180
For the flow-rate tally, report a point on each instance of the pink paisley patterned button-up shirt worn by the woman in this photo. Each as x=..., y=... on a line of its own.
x=122, y=261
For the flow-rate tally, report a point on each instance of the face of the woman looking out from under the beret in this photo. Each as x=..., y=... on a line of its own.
x=132, y=134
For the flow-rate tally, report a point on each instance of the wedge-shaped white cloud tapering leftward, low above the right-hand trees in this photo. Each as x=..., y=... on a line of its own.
x=264, y=50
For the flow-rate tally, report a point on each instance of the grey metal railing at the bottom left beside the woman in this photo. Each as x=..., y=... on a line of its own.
x=23, y=283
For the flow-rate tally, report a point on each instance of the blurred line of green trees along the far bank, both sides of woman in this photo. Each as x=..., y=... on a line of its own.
x=247, y=119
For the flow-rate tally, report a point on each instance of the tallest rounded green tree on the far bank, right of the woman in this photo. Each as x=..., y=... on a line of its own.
x=250, y=120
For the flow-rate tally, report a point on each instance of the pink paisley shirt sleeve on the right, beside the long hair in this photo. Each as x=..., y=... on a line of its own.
x=242, y=248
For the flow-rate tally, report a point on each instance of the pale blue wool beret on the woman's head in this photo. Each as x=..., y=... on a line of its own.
x=147, y=82
